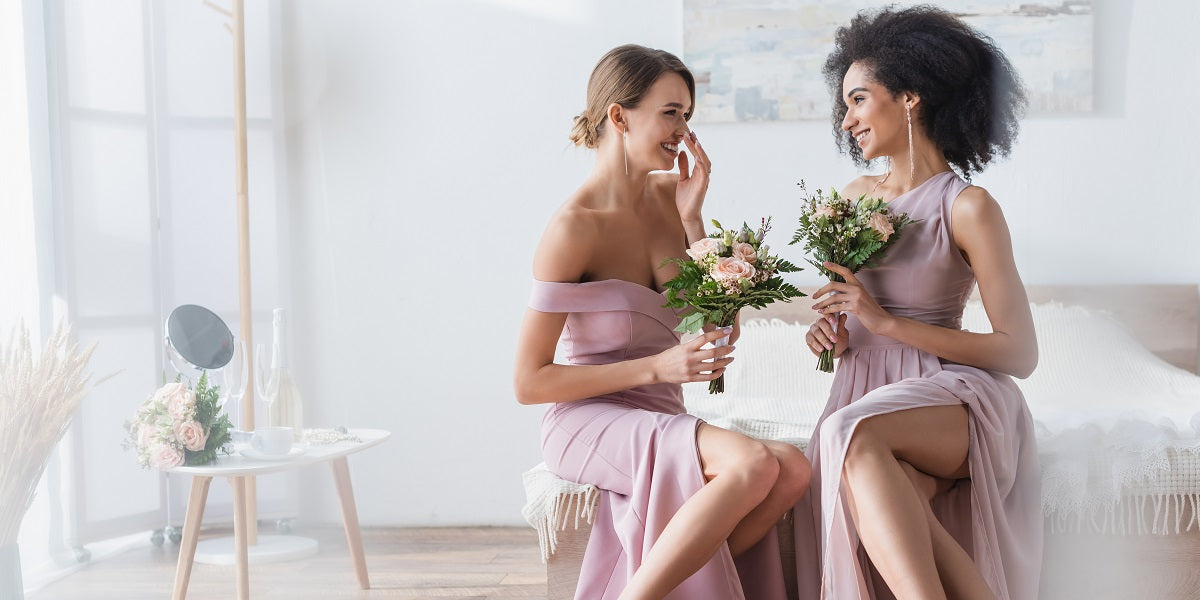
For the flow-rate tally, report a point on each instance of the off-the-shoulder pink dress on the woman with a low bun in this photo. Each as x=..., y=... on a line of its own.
x=638, y=446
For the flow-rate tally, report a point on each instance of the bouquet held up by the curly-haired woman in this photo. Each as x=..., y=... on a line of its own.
x=850, y=233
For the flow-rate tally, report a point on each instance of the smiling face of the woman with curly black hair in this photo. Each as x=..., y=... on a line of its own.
x=875, y=119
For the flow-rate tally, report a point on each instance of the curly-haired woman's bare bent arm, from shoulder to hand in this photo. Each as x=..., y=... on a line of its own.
x=982, y=235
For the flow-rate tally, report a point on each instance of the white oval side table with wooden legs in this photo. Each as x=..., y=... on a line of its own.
x=237, y=469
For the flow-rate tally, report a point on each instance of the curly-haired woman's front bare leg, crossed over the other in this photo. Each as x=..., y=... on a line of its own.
x=890, y=513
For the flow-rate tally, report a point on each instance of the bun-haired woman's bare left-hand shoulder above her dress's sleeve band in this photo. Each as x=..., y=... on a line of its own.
x=567, y=245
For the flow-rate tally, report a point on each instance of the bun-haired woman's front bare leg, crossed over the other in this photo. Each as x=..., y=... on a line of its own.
x=741, y=475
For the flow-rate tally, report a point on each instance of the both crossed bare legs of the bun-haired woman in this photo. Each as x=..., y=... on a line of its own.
x=751, y=487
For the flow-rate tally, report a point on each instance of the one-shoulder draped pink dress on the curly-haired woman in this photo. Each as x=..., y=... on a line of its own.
x=997, y=517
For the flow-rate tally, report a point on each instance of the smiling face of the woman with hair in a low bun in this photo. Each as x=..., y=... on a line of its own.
x=658, y=124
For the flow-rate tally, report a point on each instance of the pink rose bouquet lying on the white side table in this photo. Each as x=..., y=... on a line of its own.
x=178, y=427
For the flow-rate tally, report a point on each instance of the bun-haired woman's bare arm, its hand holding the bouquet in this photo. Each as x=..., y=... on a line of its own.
x=562, y=256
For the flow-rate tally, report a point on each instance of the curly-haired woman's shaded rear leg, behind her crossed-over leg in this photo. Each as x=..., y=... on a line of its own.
x=959, y=575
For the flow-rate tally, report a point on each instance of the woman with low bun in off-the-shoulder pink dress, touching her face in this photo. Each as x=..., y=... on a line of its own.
x=679, y=499
